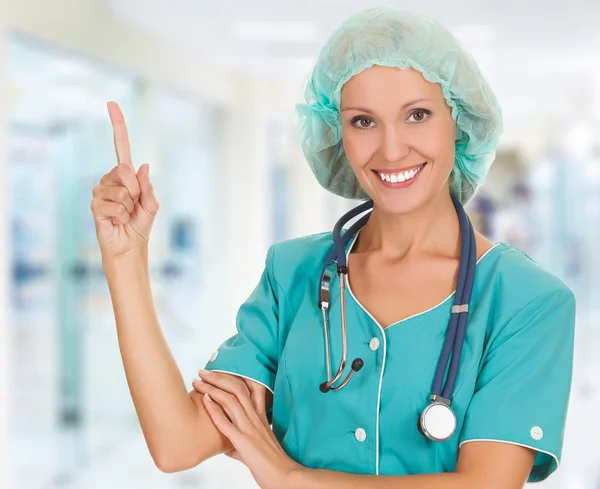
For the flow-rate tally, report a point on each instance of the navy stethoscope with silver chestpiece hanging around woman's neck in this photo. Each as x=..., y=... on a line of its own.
x=437, y=421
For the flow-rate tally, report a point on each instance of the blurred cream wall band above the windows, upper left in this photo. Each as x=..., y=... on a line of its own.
x=88, y=27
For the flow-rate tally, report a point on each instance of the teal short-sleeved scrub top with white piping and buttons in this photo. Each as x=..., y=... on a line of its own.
x=513, y=384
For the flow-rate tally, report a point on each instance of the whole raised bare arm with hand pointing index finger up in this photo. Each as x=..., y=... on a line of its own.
x=178, y=431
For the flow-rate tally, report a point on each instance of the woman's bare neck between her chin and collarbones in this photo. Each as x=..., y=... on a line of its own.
x=432, y=229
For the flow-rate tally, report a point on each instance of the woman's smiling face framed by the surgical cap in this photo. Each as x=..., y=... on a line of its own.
x=394, y=120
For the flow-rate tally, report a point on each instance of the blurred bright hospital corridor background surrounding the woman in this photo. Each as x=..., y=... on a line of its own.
x=208, y=90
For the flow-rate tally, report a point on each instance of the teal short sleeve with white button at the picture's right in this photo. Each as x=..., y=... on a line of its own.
x=522, y=391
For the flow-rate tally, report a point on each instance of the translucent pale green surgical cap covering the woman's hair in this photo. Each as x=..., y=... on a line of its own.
x=394, y=37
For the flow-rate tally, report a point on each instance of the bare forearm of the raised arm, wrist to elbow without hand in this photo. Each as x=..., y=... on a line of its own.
x=177, y=429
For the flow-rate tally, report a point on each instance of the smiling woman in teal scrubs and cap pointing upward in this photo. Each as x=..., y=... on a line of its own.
x=396, y=112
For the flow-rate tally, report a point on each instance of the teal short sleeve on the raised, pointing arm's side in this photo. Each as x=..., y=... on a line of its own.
x=252, y=352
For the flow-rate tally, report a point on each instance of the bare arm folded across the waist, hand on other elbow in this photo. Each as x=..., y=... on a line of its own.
x=481, y=464
